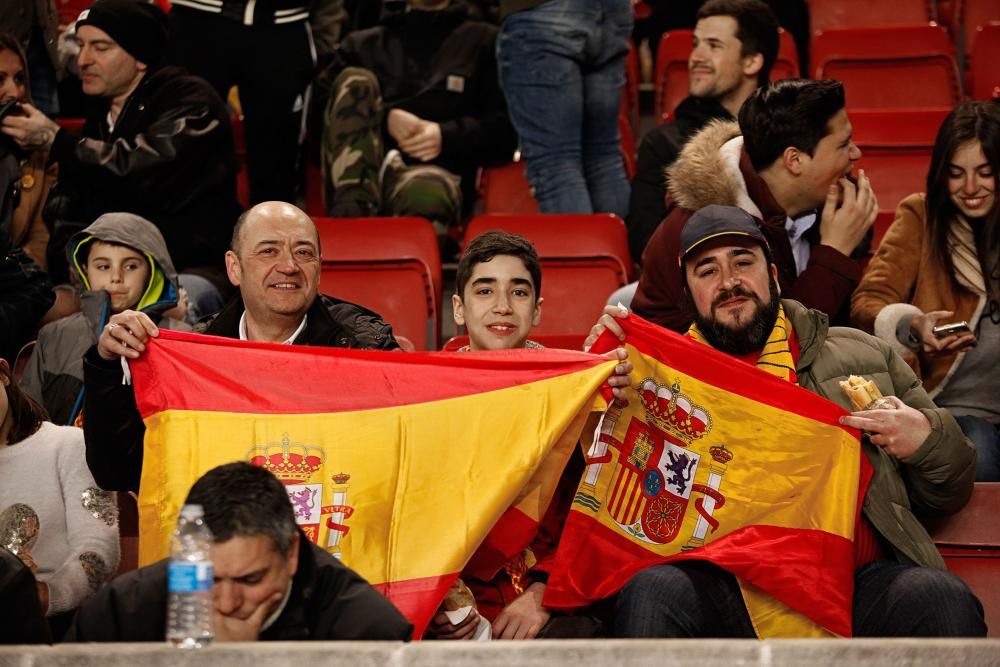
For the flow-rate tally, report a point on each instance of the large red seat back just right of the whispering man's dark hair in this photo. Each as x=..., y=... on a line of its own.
x=902, y=66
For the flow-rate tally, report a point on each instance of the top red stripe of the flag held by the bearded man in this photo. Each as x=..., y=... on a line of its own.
x=716, y=368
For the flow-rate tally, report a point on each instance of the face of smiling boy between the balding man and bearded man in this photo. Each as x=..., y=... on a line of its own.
x=499, y=305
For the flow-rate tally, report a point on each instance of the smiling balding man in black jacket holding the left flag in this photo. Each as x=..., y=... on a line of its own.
x=275, y=263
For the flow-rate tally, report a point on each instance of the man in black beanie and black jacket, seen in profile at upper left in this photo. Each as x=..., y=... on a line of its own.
x=157, y=143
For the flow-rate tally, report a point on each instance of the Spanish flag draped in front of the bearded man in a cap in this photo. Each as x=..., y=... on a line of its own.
x=712, y=459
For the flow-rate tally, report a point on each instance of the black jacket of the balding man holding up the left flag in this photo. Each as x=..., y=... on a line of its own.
x=112, y=427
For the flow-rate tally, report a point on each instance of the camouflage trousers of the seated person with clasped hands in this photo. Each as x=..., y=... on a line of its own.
x=360, y=179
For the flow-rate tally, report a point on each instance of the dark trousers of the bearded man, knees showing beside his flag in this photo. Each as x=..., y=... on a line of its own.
x=698, y=599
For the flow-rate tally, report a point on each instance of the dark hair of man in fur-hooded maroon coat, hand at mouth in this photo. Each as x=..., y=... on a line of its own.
x=791, y=112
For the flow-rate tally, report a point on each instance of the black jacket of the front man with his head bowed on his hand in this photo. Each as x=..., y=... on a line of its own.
x=328, y=601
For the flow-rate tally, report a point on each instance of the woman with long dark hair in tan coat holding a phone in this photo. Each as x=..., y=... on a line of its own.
x=939, y=264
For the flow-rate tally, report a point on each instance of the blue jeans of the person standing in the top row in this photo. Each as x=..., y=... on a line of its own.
x=562, y=69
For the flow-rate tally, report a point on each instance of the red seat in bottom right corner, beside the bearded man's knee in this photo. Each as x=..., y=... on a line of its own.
x=970, y=544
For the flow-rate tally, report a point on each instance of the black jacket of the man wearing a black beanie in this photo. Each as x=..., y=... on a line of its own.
x=170, y=158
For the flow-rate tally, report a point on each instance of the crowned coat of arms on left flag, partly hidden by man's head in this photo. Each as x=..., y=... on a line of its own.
x=300, y=469
